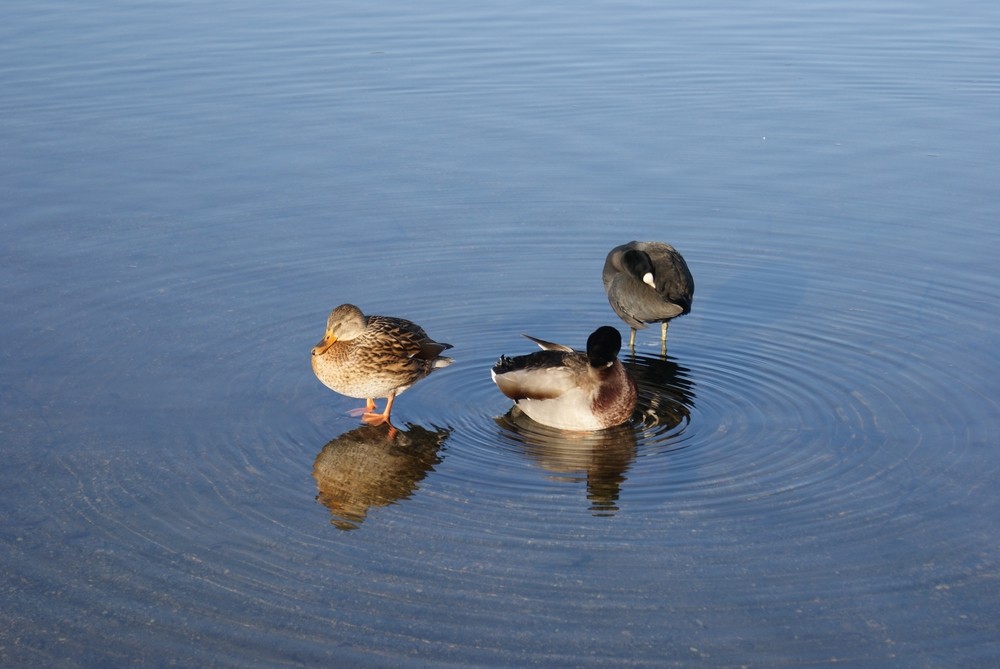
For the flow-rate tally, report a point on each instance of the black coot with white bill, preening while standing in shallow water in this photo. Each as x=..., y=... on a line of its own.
x=647, y=282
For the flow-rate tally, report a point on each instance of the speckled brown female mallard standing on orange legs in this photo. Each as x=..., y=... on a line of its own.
x=374, y=356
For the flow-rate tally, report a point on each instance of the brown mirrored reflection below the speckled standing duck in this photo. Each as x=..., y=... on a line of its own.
x=374, y=465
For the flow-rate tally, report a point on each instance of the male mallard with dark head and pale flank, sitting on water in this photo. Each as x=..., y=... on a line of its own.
x=568, y=389
